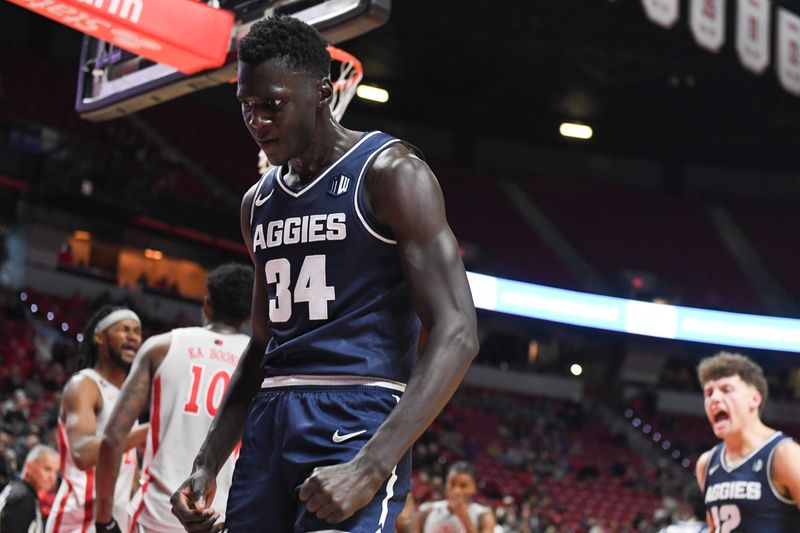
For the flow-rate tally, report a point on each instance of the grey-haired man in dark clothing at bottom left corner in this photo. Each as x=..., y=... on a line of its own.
x=19, y=503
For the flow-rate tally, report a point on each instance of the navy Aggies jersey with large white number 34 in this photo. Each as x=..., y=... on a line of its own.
x=338, y=300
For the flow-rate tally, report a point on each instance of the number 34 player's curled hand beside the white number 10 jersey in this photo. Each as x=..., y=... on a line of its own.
x=190, y=503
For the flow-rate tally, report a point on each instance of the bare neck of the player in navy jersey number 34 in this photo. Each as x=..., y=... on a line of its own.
x=329, y=144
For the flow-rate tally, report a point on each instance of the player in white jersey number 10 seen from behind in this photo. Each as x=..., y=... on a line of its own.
x=183, y=374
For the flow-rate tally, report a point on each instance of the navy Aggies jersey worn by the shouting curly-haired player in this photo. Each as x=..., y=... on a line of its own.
x=743, y=498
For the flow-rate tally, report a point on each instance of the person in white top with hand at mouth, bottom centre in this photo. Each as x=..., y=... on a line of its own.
x=458, y=513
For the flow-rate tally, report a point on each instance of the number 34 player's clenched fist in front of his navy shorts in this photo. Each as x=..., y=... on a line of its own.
x=335, y=493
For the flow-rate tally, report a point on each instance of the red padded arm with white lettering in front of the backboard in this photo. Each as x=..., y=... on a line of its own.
x=184, y=34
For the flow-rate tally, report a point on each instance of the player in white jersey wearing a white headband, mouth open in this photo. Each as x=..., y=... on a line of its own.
x=110, y=341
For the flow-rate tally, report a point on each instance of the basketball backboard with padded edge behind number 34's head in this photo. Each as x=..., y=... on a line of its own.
x=113, y=82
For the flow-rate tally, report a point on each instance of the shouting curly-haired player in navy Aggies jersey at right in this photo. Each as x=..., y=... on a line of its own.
x=751, y=480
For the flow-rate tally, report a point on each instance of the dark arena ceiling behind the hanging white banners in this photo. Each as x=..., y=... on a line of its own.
x=517, y=68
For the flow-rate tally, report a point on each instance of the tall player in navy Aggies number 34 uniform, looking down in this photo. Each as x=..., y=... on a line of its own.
x=350, y=242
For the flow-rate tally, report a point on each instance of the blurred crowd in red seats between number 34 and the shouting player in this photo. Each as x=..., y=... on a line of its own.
x=547, y=466
